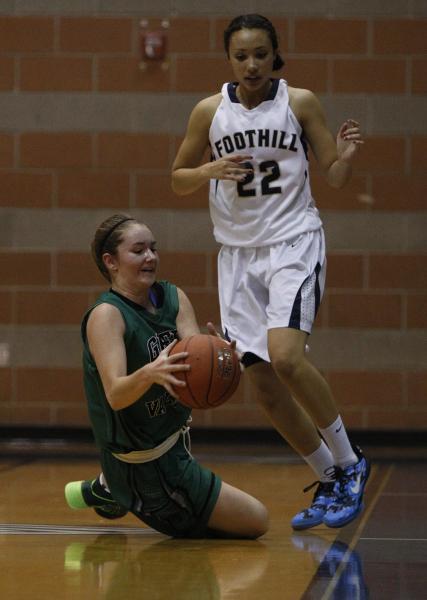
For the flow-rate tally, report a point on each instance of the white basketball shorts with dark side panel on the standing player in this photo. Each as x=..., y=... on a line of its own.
x=270, y=286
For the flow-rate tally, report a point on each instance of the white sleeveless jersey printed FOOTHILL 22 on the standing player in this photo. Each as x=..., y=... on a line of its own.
x=275, y=203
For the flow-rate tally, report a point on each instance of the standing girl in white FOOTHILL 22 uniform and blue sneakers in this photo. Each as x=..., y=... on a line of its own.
x=272, y=261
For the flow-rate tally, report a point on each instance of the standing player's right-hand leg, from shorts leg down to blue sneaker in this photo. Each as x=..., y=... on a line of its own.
x=294, y=299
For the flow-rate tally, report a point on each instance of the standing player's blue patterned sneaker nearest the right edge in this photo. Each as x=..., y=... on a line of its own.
x=351, y=484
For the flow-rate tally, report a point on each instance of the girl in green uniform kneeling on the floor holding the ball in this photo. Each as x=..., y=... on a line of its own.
x=130, y=382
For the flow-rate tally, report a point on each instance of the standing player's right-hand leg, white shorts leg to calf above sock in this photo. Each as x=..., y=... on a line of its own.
x=295, y=291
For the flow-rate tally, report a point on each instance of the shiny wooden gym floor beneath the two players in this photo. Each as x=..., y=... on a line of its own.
x=51, y=552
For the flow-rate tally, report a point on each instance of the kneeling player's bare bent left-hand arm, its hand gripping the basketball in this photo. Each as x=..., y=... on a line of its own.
x=105, y=331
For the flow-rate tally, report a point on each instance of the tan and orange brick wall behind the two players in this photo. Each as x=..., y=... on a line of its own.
x=84, y=132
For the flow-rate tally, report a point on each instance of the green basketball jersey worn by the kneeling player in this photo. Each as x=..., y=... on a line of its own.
x=156, y=415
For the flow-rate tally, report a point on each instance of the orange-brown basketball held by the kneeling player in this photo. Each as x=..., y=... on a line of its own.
x=214, y=374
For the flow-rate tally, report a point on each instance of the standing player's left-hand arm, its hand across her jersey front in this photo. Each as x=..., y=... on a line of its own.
x=188, y=175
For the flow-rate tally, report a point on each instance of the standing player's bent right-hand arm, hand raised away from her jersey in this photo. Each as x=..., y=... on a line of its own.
x=334, y=156
